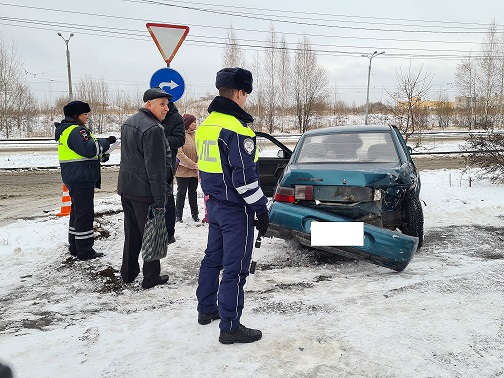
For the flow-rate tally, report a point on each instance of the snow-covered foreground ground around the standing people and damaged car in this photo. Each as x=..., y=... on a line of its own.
x=321, y=316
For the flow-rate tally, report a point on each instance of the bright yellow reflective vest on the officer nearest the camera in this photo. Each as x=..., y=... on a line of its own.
x=207, y=136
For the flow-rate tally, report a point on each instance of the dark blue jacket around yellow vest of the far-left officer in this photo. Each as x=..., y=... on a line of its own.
x=81, y=174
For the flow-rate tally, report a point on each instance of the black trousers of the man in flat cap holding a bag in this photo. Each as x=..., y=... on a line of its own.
x=135, y=216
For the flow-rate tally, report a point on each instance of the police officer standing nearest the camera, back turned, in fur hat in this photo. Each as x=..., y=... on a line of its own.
x=227, y=156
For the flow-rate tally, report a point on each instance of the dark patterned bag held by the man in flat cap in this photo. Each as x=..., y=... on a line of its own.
x=155, y=238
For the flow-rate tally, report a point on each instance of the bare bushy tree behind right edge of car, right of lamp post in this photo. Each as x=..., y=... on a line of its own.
x=409, y=109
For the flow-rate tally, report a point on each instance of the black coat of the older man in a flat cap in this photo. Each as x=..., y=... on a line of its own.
x=144, y=161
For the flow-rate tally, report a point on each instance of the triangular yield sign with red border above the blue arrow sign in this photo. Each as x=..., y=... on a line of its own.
x=168, y=38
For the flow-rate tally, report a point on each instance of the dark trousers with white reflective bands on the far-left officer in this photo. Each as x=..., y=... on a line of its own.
x=80, y=225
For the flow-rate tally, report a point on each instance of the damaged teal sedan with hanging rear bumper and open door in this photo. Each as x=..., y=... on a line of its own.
x=349, y=174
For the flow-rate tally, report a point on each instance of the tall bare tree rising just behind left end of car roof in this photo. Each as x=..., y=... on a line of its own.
x=310, y=84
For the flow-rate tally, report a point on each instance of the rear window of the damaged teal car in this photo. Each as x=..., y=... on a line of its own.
x=348, y=147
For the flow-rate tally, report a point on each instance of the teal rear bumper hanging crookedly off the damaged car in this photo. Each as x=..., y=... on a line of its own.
x=382, y=247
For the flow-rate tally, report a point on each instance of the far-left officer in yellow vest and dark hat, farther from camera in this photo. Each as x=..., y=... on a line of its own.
x=80, y=153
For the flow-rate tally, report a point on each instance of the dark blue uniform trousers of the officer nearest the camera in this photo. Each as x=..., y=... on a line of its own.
x=229, y=248
